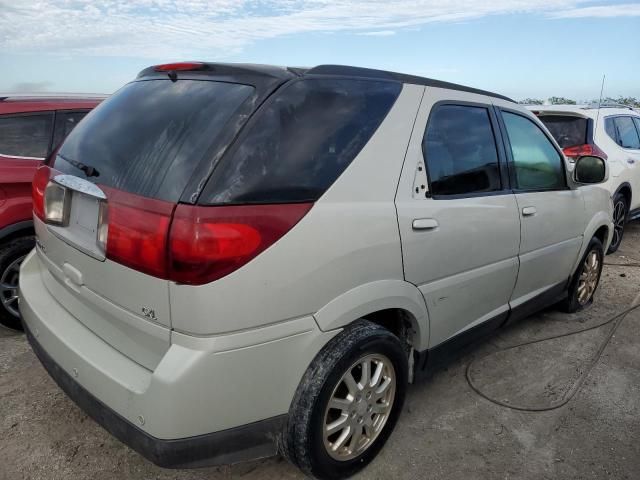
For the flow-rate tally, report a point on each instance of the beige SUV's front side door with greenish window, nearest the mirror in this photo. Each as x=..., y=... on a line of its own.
x=552, y=215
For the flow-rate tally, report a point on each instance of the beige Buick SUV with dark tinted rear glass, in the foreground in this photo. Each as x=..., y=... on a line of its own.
x=234, y=261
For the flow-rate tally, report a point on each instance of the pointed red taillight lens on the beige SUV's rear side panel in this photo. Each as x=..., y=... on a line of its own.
x=207, y=243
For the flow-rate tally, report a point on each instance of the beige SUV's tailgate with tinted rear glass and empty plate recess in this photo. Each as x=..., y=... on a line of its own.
x=131, y=157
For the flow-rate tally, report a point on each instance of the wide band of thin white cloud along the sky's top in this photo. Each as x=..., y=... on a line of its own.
x=215, y=29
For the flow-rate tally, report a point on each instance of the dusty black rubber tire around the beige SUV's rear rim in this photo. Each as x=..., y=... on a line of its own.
x=303, y=440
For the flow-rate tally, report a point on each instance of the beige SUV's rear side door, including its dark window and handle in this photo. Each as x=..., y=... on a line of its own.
x=458, y=222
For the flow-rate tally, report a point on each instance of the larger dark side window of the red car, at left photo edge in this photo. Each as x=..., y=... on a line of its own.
x=26, y=135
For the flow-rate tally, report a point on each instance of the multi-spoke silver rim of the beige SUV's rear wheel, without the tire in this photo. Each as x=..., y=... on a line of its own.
x=359, y=407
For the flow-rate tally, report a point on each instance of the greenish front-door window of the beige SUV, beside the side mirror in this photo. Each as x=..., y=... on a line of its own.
x=538, y=165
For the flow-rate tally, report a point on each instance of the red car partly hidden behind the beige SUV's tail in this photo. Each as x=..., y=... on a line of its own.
x=30, y=128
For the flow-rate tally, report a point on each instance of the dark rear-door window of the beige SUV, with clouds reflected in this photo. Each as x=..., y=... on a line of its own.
x=460, y=150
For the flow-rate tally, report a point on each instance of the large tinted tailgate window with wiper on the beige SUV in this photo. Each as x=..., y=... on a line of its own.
x=150, y=136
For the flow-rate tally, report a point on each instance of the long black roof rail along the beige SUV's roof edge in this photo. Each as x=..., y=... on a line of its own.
x=401, y=77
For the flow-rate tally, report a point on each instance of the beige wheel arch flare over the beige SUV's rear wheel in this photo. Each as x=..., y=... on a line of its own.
x=394, y=304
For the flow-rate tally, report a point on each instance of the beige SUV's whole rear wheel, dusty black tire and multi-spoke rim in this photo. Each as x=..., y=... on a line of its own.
x=304, y=443
